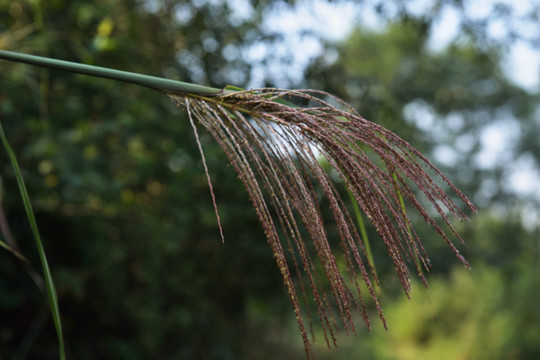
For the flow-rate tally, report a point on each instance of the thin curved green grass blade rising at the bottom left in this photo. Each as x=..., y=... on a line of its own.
x=51, y=292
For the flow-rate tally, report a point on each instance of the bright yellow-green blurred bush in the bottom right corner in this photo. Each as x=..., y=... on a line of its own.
x=486, y=313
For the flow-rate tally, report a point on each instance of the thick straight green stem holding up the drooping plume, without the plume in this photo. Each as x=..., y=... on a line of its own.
x=152, y=82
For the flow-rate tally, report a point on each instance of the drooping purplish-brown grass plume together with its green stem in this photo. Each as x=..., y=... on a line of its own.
x=275, y=147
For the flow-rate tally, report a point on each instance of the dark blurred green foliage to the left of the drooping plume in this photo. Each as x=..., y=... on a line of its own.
x=121, y=197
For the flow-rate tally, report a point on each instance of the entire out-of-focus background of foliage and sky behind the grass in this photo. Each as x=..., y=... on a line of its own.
x=125, y=212
